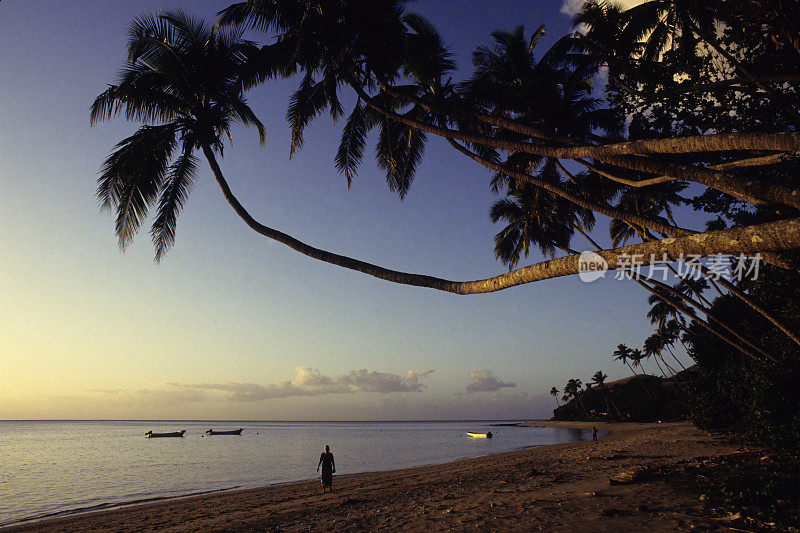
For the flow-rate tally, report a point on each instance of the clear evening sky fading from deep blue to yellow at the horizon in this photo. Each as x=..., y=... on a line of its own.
x=232, y=326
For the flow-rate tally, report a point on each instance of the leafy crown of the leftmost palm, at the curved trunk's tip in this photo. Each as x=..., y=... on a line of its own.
x=185, y=82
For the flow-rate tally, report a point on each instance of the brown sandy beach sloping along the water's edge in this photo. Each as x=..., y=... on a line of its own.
x=554, y=488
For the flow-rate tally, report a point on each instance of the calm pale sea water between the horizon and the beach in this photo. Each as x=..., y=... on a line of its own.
x=50, y=468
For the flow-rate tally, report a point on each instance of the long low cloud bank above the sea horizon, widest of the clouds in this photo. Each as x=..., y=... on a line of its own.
x=307, y=381
